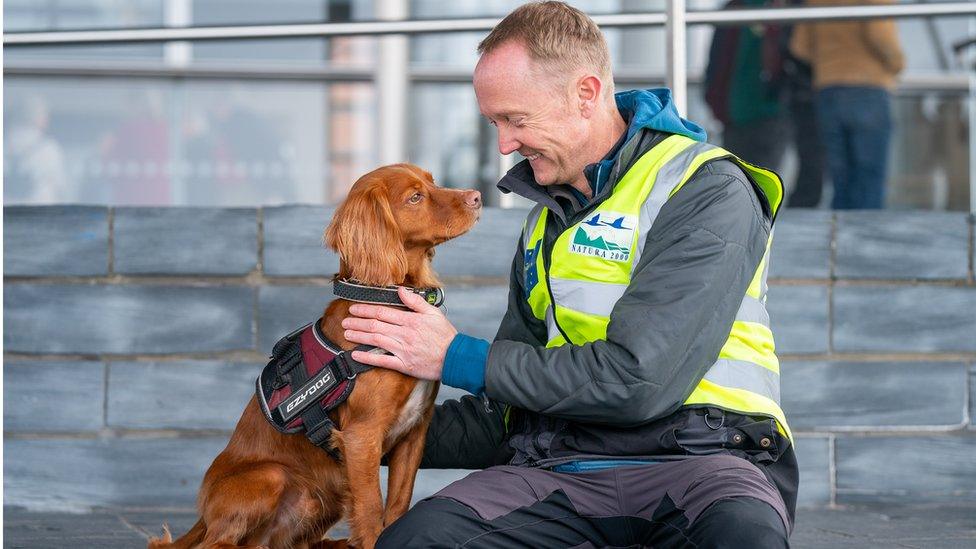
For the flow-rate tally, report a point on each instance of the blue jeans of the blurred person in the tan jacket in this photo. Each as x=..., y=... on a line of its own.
x=855, y=125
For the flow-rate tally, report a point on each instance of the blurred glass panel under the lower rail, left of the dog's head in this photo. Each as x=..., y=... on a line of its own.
x=146, y=142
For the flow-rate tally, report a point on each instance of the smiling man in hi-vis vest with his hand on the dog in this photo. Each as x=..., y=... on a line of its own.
x=632, y=386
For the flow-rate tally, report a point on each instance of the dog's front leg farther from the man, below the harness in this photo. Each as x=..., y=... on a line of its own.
x=361, y=447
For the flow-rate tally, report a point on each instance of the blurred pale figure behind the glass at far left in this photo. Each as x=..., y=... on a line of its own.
x=33, y=170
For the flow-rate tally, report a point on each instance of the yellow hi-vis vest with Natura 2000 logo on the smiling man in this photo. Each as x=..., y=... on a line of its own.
x=593, y=261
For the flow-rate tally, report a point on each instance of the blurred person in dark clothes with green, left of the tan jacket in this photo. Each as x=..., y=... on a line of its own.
x=743, y=88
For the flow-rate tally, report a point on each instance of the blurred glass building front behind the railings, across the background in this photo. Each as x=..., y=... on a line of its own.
x=262, y=138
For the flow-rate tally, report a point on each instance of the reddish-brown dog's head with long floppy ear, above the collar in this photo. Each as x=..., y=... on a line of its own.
x=392, y=215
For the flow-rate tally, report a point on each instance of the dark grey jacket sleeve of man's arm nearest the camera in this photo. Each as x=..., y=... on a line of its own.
x=669, y=325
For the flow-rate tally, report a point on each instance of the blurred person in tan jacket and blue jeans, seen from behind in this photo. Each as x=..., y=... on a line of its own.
x=854, y=68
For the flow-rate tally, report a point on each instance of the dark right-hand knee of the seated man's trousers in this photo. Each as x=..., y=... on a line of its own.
x=740, y=522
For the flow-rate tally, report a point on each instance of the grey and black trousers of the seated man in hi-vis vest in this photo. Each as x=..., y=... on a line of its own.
x=702, y=501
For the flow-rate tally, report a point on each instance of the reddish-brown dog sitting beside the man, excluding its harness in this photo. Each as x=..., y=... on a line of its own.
x=268, y=489
